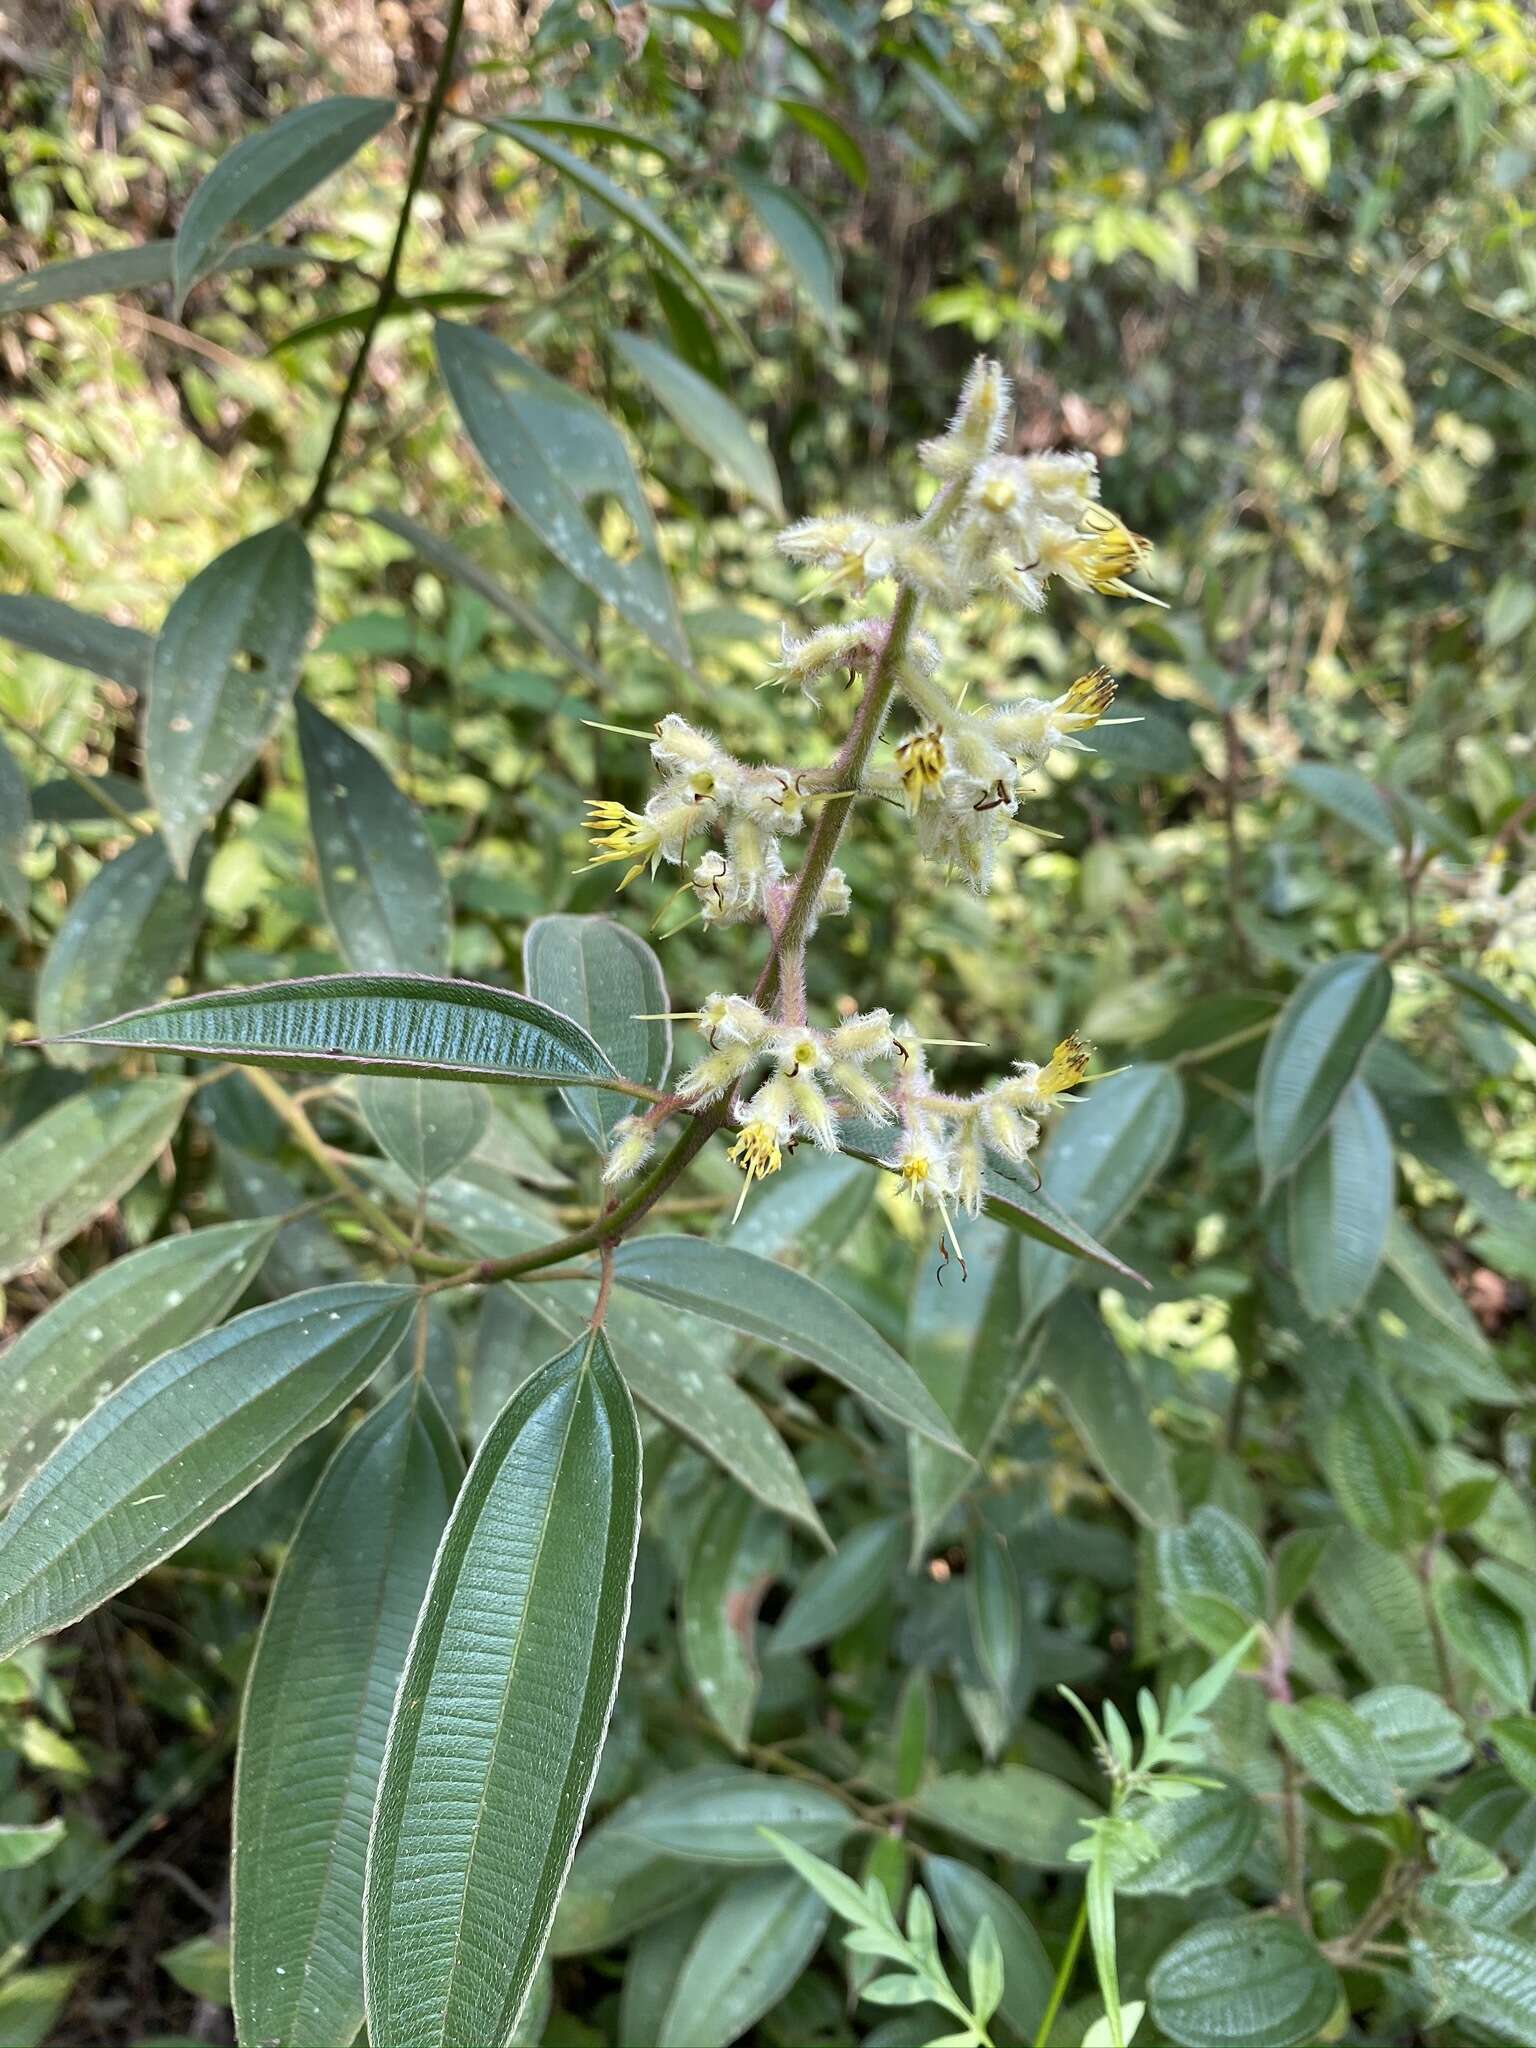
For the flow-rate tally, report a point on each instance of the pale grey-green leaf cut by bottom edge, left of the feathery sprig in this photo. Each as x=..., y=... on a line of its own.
x=746, y=1957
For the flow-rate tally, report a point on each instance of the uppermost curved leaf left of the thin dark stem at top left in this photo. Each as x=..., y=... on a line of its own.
x=265, y=175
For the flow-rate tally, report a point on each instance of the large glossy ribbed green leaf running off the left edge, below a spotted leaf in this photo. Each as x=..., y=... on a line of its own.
x=179, y=1443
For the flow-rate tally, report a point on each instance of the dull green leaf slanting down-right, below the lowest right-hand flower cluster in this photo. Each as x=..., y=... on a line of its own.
x=1109, y=1410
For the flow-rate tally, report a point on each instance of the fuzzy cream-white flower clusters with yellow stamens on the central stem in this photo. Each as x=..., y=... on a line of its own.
x=998, y=523
